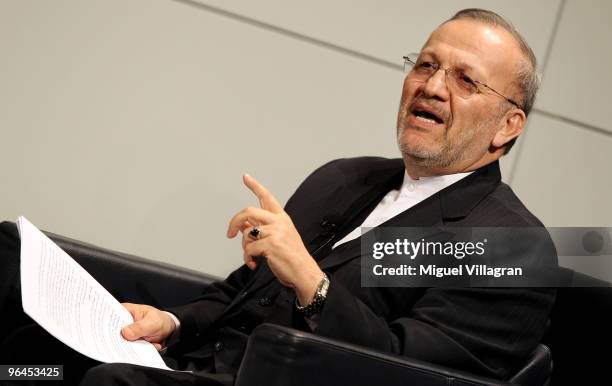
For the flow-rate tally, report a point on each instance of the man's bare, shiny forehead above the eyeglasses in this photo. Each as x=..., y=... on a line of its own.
x=490, y=50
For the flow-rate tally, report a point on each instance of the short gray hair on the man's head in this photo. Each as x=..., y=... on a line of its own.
x=527, y=79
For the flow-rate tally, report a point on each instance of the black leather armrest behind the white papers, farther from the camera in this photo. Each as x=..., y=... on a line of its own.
x=130, y=278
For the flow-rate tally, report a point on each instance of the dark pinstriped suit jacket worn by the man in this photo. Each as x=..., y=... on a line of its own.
x=483, y=330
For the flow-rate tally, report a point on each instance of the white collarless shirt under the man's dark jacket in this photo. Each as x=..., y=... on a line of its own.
x=408, y=195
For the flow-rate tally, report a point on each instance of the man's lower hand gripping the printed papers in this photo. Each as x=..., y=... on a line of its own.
x=150, y=324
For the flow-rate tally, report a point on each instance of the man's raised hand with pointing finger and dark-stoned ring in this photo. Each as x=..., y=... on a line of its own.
x=279, y=242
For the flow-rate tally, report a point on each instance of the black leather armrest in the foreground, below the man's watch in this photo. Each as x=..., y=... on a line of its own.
x=281, y=356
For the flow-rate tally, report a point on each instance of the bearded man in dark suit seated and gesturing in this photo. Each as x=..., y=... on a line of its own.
x=464, y=103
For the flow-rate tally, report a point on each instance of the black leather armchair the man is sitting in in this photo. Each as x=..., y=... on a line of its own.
x=278, y=355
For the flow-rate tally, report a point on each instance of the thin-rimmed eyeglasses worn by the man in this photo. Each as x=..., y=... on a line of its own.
x=457, y=81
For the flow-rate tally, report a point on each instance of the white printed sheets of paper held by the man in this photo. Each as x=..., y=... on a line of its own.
x=72, y=306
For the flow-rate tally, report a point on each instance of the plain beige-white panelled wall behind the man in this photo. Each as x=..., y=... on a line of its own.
x=128, y=123
